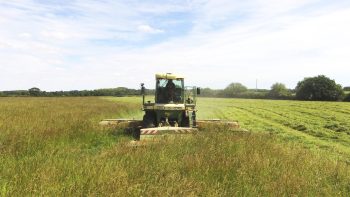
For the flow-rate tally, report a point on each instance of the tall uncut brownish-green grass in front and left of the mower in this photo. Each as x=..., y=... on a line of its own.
x=54, y=147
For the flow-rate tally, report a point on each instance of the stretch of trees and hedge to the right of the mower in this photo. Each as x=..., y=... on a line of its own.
x=319, y=88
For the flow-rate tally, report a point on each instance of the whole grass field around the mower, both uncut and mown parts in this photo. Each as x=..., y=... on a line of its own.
x=54, y=146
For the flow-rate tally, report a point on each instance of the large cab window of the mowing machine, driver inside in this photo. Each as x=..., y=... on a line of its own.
x=169, y=91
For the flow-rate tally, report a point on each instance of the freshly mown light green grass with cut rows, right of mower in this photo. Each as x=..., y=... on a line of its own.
x=322, y=125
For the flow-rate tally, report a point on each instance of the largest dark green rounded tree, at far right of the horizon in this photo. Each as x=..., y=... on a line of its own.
x=319, y=88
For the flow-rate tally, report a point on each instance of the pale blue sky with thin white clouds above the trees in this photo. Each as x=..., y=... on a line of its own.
x=91, y=44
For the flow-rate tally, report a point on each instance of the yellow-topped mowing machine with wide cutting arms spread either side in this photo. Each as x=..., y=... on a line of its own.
x=173, y=112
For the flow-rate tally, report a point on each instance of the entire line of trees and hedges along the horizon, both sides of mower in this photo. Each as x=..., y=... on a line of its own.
x=319, y=88
